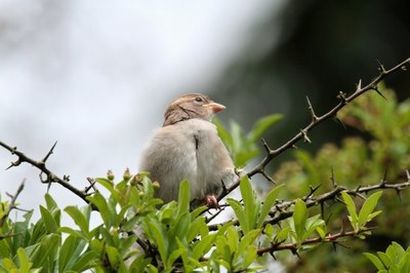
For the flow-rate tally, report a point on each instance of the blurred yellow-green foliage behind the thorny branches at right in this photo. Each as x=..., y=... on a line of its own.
x=382, y=144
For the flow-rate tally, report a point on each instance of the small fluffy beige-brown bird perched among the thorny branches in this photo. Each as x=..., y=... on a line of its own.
x=187, y=147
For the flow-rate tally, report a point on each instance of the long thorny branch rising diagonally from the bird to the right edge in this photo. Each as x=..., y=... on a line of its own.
x=344, y=99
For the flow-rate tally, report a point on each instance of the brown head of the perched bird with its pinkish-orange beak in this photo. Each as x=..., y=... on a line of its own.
x=190, y=106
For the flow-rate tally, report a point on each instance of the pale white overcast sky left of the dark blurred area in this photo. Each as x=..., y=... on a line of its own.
x=95, y=76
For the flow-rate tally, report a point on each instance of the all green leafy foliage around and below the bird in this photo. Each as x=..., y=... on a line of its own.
x=133, y=231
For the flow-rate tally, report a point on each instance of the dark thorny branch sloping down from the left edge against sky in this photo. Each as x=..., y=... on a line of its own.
x=46, y=176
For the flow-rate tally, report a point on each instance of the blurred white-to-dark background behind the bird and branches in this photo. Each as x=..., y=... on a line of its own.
x=96, y=76
